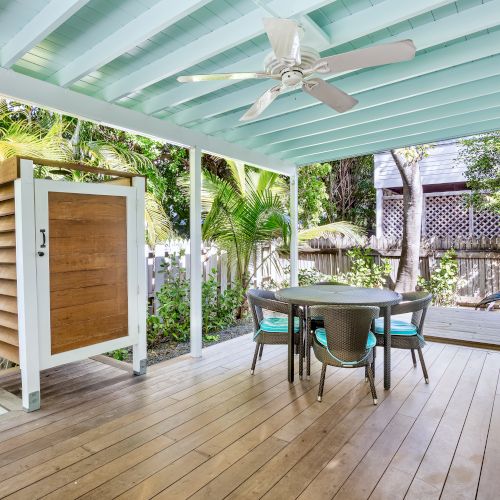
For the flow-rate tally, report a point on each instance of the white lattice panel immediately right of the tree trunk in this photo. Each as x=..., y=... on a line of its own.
x=446, y=216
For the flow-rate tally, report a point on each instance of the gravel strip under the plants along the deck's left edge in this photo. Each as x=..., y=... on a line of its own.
x=168, y=350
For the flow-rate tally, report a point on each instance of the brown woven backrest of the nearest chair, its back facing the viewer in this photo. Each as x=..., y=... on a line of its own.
x=347, y=329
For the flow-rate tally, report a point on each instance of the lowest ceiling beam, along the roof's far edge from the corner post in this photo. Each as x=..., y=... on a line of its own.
x=471, y=128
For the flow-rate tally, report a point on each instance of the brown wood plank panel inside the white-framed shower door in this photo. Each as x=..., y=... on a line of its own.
x=88, y=269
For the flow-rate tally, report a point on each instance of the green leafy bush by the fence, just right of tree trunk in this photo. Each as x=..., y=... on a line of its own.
x=443, y=281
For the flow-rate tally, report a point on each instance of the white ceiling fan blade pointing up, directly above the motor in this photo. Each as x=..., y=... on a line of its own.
x=284, y=37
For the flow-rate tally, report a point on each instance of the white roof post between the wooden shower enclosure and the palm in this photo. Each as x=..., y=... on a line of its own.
x=195, y=250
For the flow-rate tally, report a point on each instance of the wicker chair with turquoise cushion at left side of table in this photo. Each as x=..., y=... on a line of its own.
x=271, y=329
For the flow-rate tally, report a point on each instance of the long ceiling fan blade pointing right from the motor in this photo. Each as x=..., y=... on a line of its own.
x=386, y=53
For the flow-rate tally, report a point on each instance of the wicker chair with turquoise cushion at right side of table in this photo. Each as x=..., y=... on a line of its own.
x=408, y=335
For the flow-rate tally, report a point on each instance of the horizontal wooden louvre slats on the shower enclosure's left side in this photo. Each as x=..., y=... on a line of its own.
x=9, y=339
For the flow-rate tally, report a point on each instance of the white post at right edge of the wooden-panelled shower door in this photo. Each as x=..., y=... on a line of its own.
x=140, y=349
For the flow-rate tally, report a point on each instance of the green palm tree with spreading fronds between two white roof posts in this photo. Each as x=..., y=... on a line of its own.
x=249, y=208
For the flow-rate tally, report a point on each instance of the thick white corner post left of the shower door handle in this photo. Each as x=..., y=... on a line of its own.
x=27, y=304
